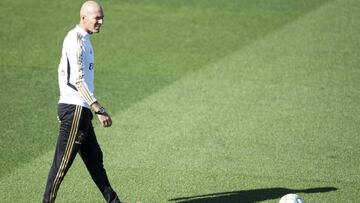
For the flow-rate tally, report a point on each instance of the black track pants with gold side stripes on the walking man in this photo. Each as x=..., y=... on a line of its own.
x=77, y=135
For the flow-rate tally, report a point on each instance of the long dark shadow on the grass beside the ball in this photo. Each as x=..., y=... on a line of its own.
x=248, y=196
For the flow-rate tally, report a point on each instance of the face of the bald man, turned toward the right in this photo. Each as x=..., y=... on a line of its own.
x=94, y=21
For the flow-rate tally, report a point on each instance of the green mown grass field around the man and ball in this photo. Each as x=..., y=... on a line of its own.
x=212, y=100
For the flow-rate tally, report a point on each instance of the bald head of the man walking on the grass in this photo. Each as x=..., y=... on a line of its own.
x=91, y=16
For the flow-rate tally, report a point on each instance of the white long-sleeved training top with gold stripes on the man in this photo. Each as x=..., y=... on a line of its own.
x=76, y=69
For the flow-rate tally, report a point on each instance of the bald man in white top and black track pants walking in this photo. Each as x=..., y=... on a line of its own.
x=76, y=75
